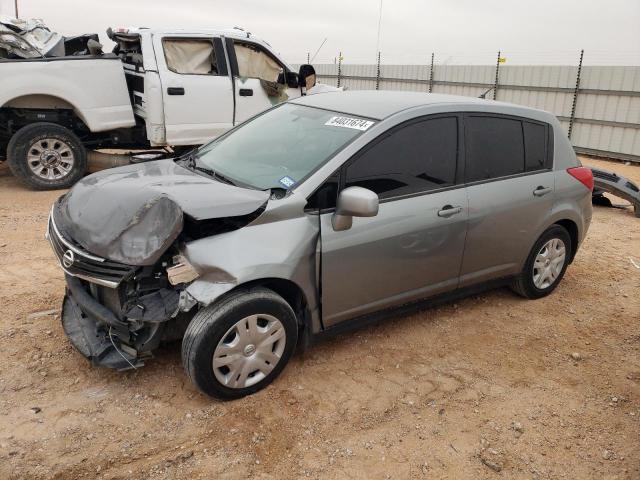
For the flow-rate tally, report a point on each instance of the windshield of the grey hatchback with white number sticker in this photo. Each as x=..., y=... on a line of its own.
x=280, y=148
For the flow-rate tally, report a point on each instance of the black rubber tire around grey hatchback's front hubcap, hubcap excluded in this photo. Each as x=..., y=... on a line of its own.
x=209, y=326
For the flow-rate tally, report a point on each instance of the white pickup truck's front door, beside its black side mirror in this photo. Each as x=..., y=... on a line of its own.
x=256, y=73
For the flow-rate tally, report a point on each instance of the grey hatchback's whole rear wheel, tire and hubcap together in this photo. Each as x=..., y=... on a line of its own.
x=546, y=264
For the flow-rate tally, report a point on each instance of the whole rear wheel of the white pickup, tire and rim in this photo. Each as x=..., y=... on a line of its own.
x=46, y=156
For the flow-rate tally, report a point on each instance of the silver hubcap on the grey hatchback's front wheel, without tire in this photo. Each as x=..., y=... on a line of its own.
x=249, y=351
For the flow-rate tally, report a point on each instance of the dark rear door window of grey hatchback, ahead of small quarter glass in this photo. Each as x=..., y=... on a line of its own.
x=494, y=147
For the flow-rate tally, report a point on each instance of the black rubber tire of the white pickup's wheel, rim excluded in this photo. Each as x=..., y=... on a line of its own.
x=27, y=137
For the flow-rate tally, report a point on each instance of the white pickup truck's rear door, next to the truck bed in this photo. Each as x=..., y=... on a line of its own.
x=197, y=90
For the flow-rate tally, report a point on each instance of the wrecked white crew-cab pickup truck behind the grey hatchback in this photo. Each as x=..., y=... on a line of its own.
x=158, y=89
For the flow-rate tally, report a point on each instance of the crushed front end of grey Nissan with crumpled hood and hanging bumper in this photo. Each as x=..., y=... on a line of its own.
x=122, y=251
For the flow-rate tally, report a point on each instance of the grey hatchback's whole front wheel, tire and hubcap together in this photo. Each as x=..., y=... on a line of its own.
x=240, y=344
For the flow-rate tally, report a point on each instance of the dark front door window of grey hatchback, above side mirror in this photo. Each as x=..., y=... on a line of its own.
x=414, y=158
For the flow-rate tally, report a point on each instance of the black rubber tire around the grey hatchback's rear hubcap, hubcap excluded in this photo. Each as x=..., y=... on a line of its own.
x=524, y=284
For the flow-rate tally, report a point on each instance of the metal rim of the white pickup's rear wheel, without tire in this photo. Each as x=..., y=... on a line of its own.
x=50, y=158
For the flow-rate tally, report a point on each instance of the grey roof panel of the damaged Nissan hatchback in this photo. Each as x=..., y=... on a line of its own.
x=381, y=104
